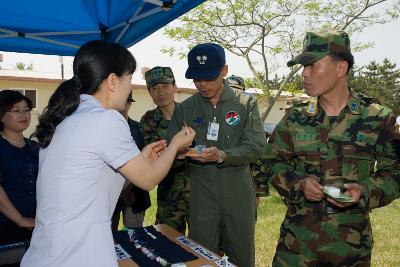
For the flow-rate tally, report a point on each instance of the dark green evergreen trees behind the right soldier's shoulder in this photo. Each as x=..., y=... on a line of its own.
x=381, y=81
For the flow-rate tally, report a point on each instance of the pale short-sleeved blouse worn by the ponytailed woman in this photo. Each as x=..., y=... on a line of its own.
x=78, y=187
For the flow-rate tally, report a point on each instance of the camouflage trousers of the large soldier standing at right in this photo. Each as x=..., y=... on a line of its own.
x=315, y=238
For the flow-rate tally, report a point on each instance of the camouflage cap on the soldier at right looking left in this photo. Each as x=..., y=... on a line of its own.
x=318, y=45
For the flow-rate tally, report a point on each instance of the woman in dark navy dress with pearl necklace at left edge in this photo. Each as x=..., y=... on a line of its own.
x=18, y=169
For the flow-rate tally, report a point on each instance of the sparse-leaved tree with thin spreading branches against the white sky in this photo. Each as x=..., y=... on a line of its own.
x=266, y=33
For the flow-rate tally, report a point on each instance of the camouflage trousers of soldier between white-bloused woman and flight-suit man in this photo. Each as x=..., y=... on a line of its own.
x=173, y=202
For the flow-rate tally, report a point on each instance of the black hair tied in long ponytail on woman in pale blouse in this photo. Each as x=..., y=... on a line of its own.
x=93, y=63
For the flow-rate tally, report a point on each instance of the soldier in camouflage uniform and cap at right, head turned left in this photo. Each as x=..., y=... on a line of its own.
x=334, y=139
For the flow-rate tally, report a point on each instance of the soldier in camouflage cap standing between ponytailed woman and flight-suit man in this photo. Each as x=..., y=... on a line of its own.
x=173, y=191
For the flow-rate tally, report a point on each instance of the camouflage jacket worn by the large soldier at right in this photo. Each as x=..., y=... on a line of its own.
x=356, y=146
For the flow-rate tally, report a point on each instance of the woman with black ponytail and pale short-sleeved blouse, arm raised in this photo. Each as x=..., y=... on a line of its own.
x=86, y=152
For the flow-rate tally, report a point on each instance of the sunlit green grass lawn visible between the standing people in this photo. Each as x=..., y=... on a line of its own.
x=385, y=226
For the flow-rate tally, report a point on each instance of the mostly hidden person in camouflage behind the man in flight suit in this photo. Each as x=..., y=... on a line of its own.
x=258, y=168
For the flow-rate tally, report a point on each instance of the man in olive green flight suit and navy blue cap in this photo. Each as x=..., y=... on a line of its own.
x=227, y=122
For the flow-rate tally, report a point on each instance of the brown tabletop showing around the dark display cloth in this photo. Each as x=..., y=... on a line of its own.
x=172, y=235
